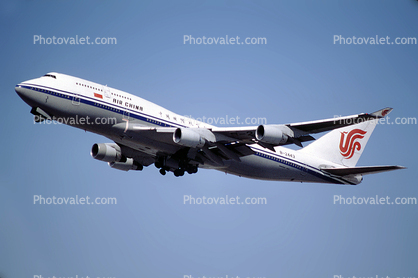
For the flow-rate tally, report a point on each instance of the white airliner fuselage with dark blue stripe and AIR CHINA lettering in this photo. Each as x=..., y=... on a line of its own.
x=65, y=96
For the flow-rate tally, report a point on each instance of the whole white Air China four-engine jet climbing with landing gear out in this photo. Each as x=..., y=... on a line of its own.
x=144, y=133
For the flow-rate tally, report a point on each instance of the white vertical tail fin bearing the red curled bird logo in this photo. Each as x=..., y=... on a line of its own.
x=344, y=145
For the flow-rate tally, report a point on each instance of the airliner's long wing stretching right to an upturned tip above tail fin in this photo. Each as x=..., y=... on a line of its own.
x=219, y=144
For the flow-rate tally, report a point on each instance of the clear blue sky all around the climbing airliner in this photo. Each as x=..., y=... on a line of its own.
x=299, y=75
